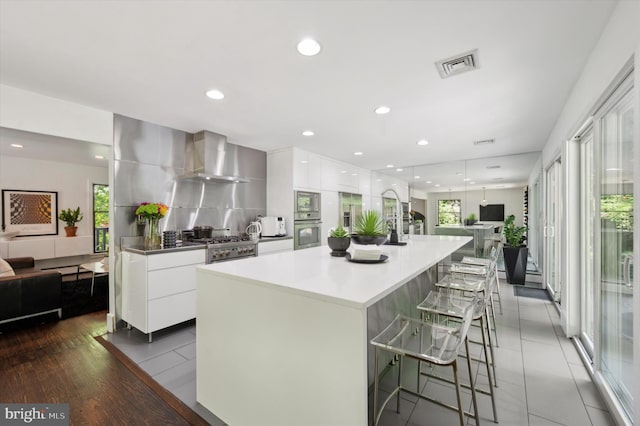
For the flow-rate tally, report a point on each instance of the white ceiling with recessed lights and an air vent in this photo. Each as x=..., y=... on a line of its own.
x=153, y=60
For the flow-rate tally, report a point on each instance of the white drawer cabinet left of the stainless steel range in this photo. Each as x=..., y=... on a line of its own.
x=159, y=290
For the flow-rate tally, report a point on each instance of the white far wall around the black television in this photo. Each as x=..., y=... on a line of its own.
x=512, y=198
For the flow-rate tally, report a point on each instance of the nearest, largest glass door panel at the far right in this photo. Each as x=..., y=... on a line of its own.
x=616, y=244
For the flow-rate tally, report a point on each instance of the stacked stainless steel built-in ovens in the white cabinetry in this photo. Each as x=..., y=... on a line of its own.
x=307, y=226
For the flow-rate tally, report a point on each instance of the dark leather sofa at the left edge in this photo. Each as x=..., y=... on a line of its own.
x=30, y=292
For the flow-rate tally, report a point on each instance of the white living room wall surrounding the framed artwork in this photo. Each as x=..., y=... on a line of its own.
x=72, y=182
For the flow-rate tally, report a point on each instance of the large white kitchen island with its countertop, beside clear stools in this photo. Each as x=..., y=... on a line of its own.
x=284, y=339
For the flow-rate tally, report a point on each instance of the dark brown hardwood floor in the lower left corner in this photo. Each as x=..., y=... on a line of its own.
x=54, y=361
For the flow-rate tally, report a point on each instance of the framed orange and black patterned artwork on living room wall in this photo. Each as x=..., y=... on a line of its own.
x=30, y=212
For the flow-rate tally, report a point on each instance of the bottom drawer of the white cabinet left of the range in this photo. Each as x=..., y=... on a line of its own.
x=171, y=310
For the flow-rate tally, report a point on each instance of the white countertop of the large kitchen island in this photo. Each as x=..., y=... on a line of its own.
x=315, y=273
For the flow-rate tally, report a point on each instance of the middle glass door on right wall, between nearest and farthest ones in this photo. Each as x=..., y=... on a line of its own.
x=587, y=217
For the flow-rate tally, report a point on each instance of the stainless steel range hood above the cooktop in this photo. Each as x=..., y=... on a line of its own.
x=211, y=159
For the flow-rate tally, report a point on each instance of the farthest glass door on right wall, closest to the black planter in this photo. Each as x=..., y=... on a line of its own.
x=552, y=228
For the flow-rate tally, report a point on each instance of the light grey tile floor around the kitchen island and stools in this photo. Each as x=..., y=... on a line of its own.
x=541, y=379
